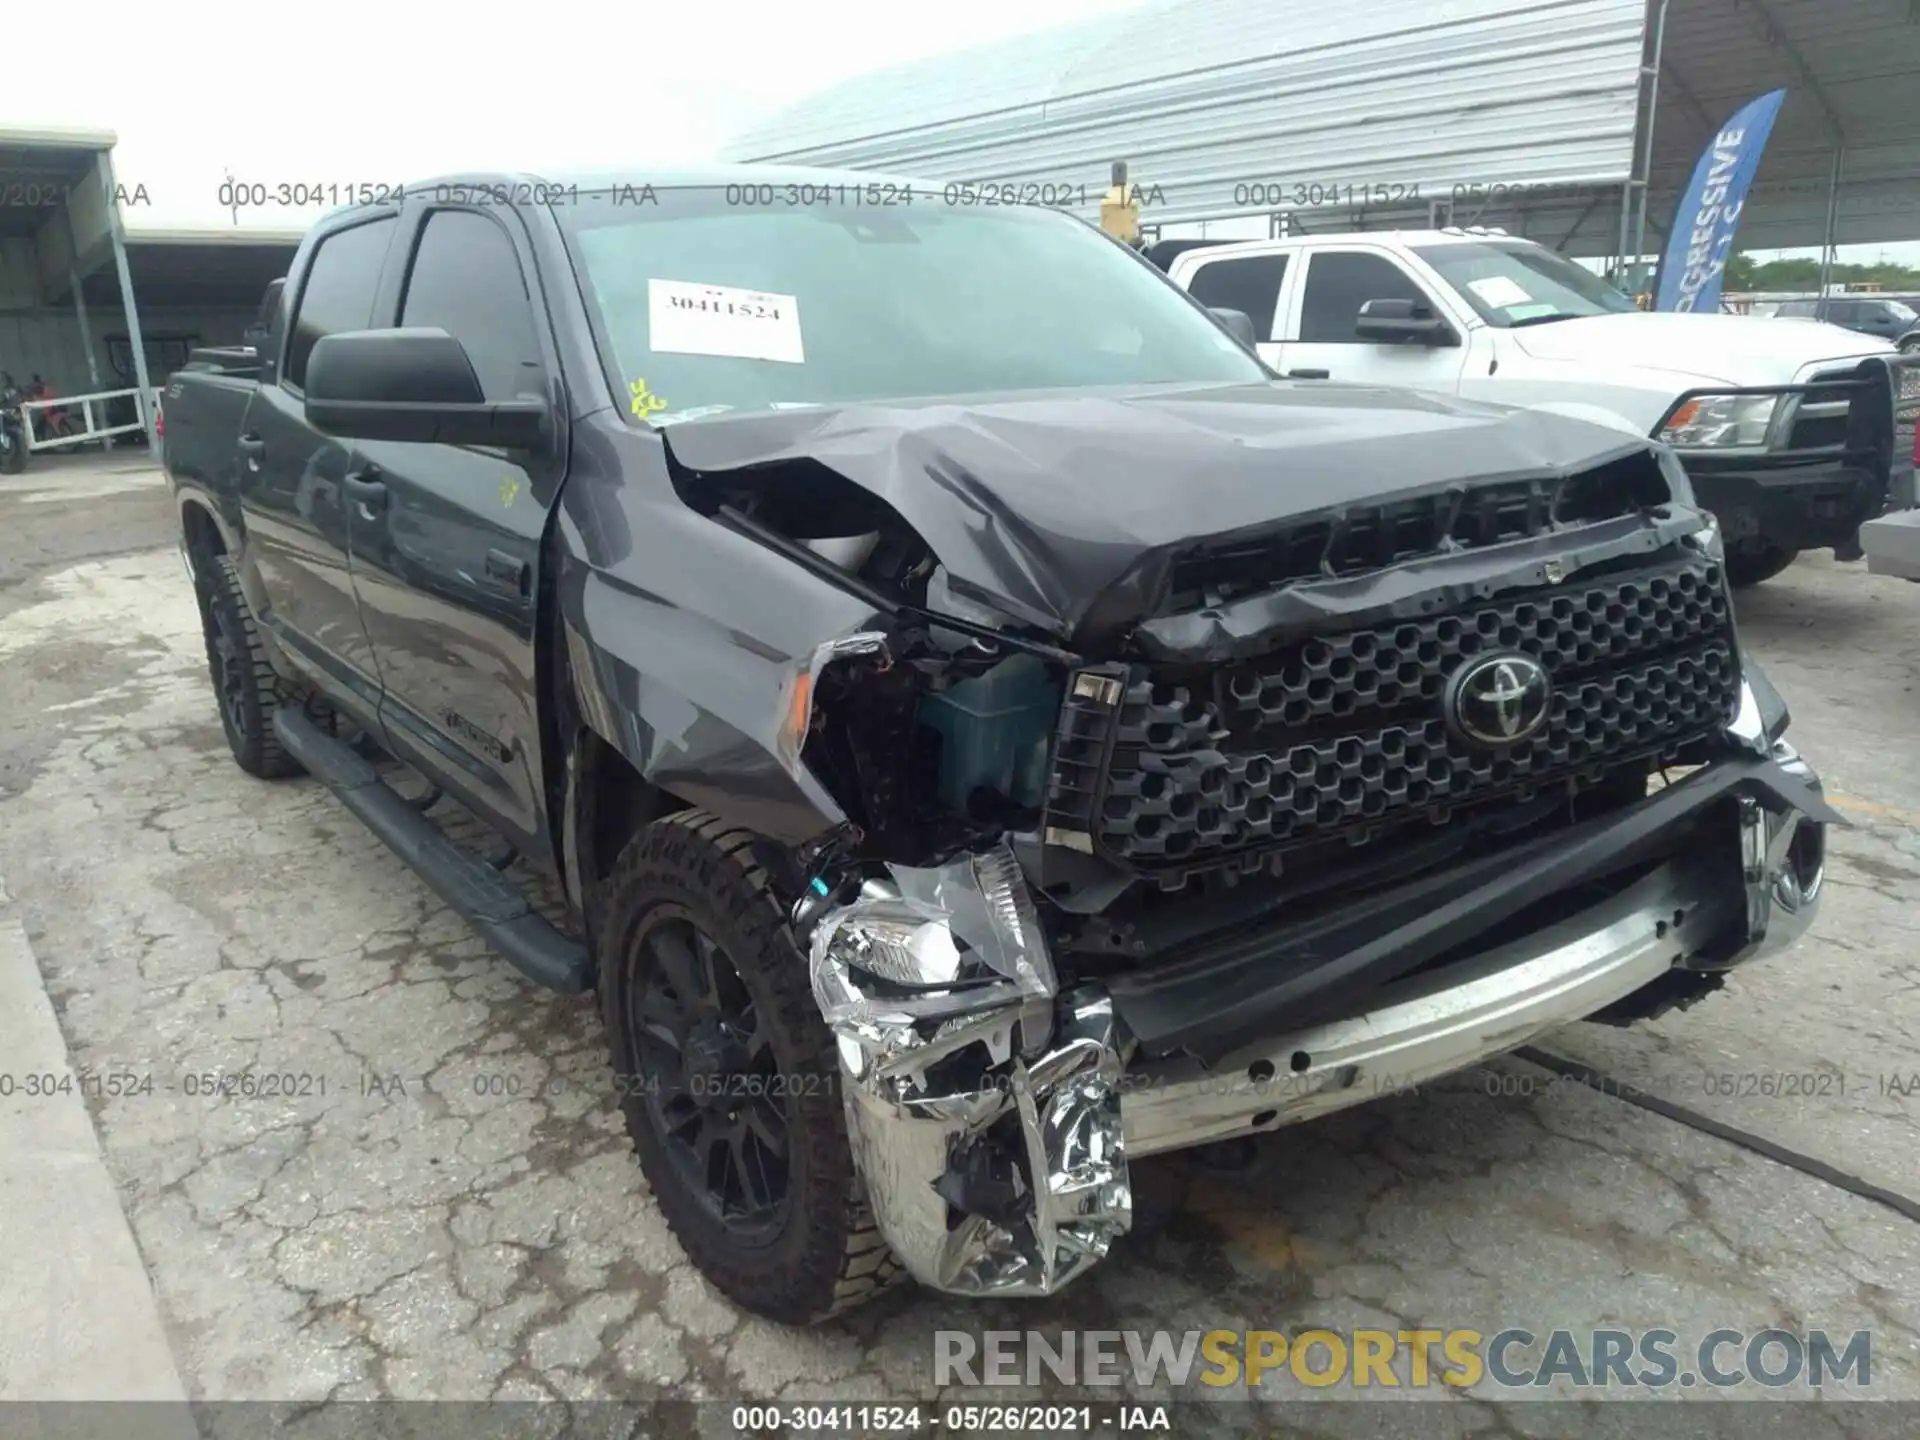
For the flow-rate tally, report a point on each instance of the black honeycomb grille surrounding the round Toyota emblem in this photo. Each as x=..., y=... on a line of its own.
x=1345, y=732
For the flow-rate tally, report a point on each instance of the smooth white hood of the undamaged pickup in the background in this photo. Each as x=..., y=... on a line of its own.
x=1742, y=350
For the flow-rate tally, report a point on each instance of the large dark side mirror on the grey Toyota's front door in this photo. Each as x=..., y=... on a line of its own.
x=412, y=385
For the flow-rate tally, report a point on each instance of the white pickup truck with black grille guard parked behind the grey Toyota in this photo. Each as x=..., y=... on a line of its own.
x=1792, y=435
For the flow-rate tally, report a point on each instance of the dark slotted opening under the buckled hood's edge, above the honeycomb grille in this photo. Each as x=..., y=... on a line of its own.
x=1362, y=539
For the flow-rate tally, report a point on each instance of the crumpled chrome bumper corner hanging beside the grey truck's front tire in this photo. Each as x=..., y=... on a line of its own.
x=984, y=1111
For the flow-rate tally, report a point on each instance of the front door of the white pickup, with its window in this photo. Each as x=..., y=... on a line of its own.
x=1322, y=343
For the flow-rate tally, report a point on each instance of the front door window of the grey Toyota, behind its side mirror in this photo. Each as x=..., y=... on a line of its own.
x=468, y=281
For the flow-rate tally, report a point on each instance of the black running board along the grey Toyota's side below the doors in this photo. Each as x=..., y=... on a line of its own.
x=492, y=903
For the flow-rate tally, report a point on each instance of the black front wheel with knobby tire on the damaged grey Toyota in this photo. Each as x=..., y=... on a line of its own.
x=729, y=1076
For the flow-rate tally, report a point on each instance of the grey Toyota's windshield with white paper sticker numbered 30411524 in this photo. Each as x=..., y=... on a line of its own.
x=708, y=302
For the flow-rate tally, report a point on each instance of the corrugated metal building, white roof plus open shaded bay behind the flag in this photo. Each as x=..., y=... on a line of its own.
x=1554, y=118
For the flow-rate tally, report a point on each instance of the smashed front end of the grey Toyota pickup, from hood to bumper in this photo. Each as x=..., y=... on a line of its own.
x=1184, y=807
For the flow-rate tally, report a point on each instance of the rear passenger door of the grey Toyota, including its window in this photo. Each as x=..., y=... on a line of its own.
x=295, y=481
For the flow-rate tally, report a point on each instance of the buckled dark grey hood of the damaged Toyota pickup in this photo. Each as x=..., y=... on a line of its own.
x=1045, y=506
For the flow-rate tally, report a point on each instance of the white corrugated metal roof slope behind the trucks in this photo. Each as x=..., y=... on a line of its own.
x=1211, y=97
